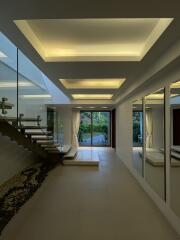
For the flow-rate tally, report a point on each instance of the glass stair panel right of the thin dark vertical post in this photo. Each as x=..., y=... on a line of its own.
x=33, y=95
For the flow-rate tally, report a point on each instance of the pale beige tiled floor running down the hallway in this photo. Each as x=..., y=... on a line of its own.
x=90, y=203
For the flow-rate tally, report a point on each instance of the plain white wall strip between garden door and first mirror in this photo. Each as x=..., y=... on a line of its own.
x=124, y=132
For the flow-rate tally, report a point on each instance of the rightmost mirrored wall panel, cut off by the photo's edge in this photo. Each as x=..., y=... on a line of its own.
x=175, y=146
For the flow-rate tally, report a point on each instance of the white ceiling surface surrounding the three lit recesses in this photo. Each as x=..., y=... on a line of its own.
x=137, y=73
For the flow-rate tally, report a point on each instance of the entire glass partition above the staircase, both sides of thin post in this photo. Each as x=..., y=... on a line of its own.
x=24, y=95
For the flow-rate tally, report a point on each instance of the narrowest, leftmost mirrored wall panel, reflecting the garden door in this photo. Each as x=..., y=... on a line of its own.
x=137, y=114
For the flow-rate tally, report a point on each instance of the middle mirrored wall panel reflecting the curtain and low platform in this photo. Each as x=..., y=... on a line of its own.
x=154, y=131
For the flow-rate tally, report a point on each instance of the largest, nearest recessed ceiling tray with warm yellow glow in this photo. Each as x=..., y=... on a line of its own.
x=127, y=39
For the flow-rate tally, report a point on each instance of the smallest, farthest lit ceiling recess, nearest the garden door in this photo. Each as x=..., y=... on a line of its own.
x=92, y=96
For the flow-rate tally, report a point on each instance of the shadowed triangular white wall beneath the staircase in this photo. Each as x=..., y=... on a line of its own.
x=13, y=158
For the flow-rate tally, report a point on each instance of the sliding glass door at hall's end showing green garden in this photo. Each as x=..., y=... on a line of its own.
x=95, y=128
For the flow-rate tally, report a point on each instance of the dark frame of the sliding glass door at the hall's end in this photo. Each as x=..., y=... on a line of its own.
x=110, y=133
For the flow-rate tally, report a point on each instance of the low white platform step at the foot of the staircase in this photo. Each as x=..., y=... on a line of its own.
x=88, y=156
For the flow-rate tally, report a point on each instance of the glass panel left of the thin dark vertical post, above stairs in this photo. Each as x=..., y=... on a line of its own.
x=8, y=78
